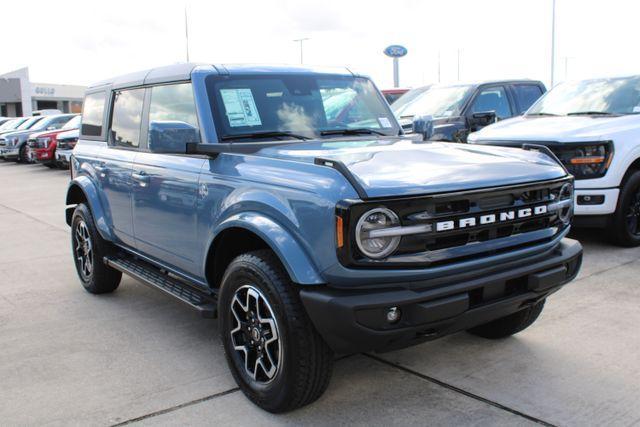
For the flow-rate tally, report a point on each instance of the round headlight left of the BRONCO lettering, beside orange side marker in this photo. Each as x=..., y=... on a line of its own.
x=369, y=238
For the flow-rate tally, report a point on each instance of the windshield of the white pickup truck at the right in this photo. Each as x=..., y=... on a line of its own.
x=599, y=96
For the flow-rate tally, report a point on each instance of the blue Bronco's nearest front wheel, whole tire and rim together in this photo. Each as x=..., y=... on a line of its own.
x=275, y=354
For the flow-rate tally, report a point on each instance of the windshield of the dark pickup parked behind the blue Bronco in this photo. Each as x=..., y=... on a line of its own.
x=445, y=101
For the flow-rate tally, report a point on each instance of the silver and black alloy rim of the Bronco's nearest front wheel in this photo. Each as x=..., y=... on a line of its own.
x=255, y=336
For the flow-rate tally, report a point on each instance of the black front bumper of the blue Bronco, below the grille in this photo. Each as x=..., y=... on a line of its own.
x=355, y=321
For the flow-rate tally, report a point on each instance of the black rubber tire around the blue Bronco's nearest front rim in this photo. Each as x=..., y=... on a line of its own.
x=306, y=363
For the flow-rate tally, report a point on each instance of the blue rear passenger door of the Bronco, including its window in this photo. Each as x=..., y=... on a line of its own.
x=115, y=166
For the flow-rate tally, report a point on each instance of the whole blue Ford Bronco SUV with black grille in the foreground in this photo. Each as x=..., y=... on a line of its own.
x=287, y=203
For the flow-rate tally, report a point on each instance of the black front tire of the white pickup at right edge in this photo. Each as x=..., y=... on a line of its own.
x=627, y=201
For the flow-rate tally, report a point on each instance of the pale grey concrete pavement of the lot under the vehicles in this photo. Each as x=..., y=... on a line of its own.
x=70, y=358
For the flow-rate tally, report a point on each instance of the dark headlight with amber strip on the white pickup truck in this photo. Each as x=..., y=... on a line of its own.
x=586, y=161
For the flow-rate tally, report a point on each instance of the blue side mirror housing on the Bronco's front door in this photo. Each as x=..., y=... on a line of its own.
x=171, y=136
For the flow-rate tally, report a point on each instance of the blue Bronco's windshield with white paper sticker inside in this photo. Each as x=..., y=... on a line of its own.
x=305, y=105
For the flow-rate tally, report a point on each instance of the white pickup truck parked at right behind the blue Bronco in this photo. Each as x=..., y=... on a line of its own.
x=593, y=127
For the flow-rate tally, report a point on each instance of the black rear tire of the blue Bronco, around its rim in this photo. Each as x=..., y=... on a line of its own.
x=102, y=278
